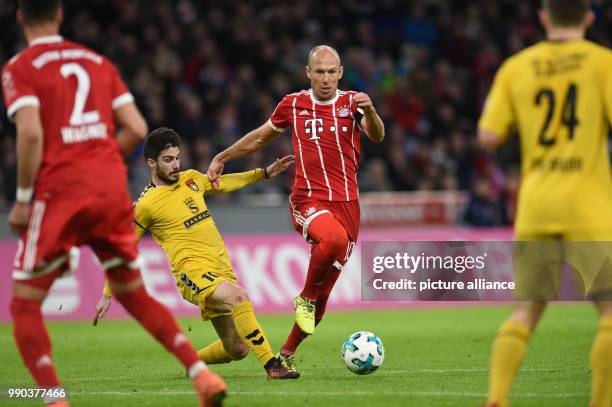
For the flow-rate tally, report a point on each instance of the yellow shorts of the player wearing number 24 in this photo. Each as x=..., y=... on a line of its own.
x=539, y=260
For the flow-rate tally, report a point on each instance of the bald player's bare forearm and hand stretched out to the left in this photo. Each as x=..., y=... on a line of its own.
x=252, y=141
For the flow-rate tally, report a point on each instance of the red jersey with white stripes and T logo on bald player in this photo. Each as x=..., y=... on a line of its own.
x=325, y=142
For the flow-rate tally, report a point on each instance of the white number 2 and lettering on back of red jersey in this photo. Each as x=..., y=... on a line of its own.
x=83, y=126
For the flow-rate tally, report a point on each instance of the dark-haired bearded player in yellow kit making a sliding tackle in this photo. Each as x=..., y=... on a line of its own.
x=173, y=210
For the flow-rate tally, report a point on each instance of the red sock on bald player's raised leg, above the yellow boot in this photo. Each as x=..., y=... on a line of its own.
x=330, y=245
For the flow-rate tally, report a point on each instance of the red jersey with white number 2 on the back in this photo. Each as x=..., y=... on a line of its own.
x=77, y=91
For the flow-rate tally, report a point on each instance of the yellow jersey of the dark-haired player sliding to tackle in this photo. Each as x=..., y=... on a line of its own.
x=179, y=221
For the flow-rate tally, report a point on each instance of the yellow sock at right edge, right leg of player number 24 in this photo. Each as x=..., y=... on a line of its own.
x=601, y=365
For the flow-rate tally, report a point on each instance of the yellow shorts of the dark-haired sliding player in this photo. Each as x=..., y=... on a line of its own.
x=197, y=286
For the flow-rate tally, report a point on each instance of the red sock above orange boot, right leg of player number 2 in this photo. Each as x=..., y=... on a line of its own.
x=154, y=317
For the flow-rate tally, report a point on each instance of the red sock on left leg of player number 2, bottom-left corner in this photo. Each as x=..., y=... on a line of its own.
x=33, y=341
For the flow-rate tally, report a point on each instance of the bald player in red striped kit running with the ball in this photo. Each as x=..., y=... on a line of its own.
x=325, y=125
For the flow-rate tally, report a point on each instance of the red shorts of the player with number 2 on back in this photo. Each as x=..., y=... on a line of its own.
x=105, y=222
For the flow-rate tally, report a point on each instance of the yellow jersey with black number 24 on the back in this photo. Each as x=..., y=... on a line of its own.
x=558, y=95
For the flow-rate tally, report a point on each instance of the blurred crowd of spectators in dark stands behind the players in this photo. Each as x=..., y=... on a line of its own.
x=214, y=70
